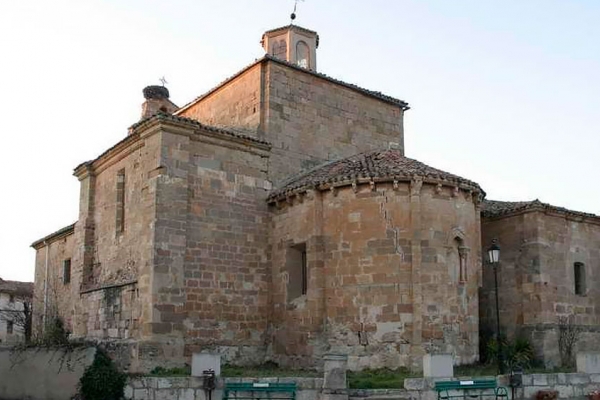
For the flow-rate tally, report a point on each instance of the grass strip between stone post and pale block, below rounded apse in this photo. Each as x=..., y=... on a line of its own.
x=383, y=378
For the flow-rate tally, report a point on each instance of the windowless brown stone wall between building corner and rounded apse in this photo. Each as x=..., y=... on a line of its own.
x=210, y=286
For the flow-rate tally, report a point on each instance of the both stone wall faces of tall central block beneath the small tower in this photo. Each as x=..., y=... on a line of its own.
x=308, y=119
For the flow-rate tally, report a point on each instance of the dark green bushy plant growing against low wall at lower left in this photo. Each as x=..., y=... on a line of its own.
x=102, y=380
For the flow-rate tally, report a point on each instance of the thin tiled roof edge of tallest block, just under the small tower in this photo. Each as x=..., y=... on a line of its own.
x=267, y=57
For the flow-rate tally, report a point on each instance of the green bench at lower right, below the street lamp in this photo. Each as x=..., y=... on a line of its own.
x=476, y=388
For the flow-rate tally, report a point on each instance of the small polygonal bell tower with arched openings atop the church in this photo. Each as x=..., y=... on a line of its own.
x=293, y=44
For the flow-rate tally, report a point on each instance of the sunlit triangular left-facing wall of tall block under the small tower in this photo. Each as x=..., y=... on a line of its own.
x=235, y=105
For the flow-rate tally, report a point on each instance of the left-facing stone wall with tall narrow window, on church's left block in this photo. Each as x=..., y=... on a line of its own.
x=112, y=266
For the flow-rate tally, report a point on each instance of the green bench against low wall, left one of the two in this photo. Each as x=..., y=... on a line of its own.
x=260, y=390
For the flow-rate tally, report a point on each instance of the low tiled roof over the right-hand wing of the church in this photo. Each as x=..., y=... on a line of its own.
x=494, y=208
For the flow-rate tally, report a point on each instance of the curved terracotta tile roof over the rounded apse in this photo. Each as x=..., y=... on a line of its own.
x=378, y=165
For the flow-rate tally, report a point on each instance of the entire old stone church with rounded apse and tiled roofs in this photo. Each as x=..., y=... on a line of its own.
x=276, y=218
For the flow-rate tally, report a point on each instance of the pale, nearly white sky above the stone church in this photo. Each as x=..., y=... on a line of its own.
x=505, y=93
